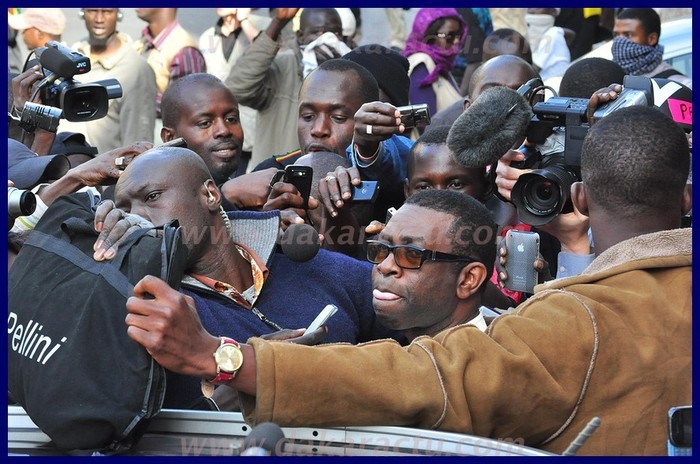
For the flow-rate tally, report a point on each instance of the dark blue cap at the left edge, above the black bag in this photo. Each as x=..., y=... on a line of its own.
x=27, y=169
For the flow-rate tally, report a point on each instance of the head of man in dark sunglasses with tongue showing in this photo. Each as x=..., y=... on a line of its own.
x=432, y=263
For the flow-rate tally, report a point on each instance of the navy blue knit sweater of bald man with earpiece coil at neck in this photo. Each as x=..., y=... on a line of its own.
x=293, y=294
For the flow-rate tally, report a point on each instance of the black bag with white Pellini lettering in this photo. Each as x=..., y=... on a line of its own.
x=71, y=364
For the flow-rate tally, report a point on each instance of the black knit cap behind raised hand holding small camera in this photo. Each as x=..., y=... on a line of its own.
x=389, y=67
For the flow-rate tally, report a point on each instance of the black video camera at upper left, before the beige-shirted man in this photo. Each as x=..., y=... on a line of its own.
x=79, y=102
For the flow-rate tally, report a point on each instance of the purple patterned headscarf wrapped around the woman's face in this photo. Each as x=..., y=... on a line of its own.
x=444, y=59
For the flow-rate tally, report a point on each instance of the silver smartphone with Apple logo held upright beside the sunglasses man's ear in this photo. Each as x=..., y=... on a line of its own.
x=523, y=248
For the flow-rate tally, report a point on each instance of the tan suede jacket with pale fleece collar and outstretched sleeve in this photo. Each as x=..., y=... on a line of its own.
x=613, y=342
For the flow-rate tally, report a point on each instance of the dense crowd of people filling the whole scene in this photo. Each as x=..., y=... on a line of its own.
x=427, y=333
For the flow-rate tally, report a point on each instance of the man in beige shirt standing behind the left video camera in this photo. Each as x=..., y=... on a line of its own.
x=131, y=117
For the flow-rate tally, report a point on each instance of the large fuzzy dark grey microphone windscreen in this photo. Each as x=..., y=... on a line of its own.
x=496, y=120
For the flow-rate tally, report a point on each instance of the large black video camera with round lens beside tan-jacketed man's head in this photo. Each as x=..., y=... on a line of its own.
x=558, y=128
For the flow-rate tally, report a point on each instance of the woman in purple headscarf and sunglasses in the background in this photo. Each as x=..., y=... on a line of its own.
x=431, y=48
